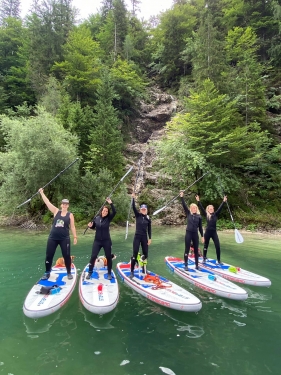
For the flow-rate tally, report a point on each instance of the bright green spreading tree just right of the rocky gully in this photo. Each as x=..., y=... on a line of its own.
x=210, y=137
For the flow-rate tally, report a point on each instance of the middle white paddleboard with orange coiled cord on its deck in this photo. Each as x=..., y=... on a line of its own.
x=159, y=289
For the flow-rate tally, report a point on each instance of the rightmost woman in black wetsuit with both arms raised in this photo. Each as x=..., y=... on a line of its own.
x=211, y=229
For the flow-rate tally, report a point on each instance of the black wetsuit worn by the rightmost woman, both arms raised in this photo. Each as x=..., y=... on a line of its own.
x=211, y=230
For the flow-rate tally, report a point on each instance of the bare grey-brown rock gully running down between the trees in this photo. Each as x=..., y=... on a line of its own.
x=151, y=184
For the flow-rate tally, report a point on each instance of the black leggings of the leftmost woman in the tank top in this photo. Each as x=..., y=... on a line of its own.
x=65, y=250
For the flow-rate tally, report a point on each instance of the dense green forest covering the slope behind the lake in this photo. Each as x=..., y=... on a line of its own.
x=70, y=89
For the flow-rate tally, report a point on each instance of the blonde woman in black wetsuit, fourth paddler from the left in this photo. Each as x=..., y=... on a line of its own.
x=194, y=222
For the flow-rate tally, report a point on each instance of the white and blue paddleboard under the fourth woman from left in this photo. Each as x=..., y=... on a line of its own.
x=206, y=280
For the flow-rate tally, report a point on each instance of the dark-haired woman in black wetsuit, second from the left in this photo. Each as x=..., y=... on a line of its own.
x=102, y=239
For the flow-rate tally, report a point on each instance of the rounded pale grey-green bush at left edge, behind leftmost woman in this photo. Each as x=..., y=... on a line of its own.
x=37, y=149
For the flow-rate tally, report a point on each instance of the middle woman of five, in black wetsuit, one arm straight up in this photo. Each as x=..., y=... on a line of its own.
x=143, y=230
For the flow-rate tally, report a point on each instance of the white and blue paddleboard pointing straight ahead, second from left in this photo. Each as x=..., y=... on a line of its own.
x=98, y=294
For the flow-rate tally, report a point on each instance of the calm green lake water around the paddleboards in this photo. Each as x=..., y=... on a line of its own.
x=139, y=337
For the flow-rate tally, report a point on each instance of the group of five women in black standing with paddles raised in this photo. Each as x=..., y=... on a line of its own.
x=64, y=220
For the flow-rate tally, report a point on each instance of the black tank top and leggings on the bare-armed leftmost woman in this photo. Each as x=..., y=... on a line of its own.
x=59, y=235
